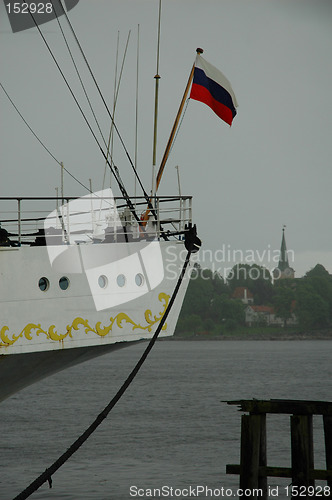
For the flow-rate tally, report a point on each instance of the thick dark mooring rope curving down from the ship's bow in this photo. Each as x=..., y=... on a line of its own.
x=47, y=475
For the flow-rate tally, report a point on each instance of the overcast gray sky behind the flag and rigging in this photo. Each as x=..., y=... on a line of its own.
x=272, y=167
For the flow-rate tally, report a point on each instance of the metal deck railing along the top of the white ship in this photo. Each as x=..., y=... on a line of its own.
x=23, y=219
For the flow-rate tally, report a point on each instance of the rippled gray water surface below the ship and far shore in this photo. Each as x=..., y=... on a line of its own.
x=170, y=429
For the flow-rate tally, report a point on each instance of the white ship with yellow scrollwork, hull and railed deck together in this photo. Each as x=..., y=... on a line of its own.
x=87, y=280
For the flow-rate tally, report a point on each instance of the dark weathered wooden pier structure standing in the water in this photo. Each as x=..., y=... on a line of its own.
x=253, y=468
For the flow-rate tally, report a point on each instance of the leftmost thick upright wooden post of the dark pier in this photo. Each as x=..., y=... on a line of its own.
x=250, y=451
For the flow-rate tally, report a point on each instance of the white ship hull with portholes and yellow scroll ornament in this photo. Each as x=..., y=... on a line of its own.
x=45, y=331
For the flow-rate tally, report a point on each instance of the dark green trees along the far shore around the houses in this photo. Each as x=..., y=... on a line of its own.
x=209, y=306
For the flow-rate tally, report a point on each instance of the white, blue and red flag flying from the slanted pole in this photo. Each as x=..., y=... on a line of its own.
x=212, y=87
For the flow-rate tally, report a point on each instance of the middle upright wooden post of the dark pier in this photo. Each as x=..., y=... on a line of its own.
x=302, y=450
